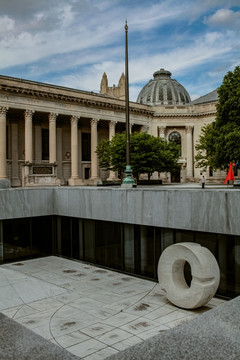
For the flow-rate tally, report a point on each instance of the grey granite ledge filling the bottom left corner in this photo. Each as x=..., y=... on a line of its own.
x=20, y=343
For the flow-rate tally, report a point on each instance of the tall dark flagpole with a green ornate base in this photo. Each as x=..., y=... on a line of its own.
x=128, y=180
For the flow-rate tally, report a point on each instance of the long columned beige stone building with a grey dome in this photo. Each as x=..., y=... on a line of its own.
x=49, y=133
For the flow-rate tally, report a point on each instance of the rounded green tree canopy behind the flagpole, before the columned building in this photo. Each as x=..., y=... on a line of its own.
x=148, y=154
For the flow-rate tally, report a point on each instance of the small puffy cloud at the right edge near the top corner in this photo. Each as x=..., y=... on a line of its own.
x=224, y=18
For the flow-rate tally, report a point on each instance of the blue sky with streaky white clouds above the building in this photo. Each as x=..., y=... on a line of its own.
x=72, y=43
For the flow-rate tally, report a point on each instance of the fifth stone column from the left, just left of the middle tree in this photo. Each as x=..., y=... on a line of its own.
x=94, y=160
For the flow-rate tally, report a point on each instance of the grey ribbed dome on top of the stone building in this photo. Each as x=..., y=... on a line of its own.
x=163, y=90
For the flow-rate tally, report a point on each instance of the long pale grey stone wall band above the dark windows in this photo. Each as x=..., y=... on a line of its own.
x=209, y=210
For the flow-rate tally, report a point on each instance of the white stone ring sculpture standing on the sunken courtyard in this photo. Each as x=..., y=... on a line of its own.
x=204, y=269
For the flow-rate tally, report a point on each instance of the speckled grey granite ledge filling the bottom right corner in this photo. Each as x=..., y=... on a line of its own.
x=210, y=336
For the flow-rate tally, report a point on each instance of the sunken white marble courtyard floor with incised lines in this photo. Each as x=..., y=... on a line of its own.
x=91, y=312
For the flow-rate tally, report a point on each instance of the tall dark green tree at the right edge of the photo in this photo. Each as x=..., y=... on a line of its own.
x=219, y=142
